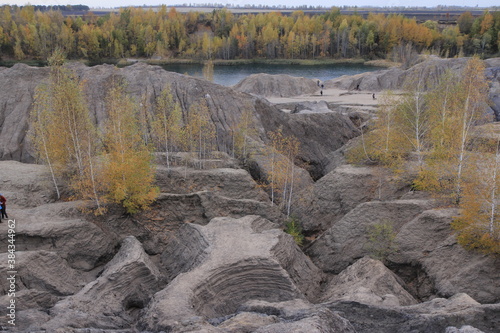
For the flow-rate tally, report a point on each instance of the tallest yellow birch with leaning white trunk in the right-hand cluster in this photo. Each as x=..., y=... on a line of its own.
x=456, y=106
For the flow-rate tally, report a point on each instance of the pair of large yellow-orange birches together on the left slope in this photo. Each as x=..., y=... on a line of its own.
x=113, y=165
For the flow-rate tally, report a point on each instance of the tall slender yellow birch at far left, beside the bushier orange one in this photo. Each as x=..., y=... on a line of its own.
x=64, y=136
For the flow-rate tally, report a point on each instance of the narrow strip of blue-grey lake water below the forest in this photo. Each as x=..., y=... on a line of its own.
x=230, y=75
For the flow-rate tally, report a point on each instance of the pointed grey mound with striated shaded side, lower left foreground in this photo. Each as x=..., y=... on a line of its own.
x=111, y=301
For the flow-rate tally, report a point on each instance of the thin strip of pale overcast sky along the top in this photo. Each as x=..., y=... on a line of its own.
x=325, y=3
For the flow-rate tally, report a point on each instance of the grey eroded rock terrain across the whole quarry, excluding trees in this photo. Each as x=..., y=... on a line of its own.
x=210, y=255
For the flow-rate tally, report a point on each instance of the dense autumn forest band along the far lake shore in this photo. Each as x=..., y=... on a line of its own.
x=26, y=33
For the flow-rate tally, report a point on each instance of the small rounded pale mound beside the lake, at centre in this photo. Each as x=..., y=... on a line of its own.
x=267, y=85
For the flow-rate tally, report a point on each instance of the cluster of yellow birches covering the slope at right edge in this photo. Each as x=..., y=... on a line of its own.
x=429, y=134
